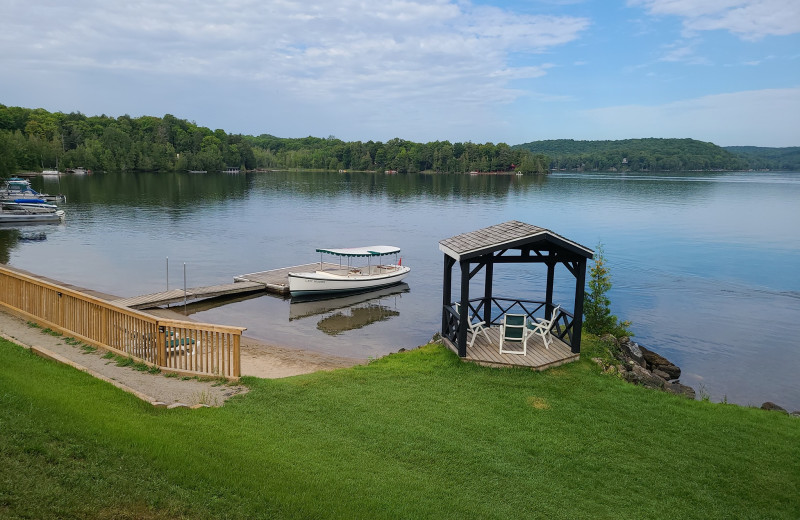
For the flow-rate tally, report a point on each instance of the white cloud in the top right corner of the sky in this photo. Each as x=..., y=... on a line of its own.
x=749, y=19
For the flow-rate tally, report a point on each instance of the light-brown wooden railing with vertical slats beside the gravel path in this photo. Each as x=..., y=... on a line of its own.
x=181, y=347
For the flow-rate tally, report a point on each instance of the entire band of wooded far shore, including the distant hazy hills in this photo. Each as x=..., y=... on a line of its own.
x=32, y=139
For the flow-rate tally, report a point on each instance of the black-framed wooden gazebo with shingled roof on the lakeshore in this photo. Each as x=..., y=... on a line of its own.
x=511, y=242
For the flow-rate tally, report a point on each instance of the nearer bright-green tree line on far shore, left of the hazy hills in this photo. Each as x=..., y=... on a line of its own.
x=32, y=139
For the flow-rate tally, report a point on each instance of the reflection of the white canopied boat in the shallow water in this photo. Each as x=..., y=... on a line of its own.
x=354, y=311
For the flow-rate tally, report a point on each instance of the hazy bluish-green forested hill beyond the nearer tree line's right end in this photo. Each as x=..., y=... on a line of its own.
x=636, y=155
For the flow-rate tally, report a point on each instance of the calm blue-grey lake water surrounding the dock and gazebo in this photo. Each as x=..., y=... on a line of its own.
x=705, y=265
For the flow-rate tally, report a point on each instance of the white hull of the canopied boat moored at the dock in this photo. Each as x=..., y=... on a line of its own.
x=320, y=282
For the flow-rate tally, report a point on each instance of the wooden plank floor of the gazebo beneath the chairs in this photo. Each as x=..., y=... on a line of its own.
x=486, y=351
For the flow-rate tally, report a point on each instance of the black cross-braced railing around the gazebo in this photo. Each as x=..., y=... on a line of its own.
x=562, y=328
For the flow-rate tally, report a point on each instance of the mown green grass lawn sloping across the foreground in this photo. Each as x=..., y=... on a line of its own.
x=411, y=435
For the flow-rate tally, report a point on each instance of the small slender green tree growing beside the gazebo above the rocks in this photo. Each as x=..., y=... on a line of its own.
x=596, y=304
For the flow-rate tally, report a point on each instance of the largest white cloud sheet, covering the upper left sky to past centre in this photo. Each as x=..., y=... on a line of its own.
x=391, y=51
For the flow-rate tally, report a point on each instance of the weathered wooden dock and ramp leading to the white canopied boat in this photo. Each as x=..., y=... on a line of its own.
x=275, y=281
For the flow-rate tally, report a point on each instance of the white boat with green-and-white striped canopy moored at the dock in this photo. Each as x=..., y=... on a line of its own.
x=348, y=278
